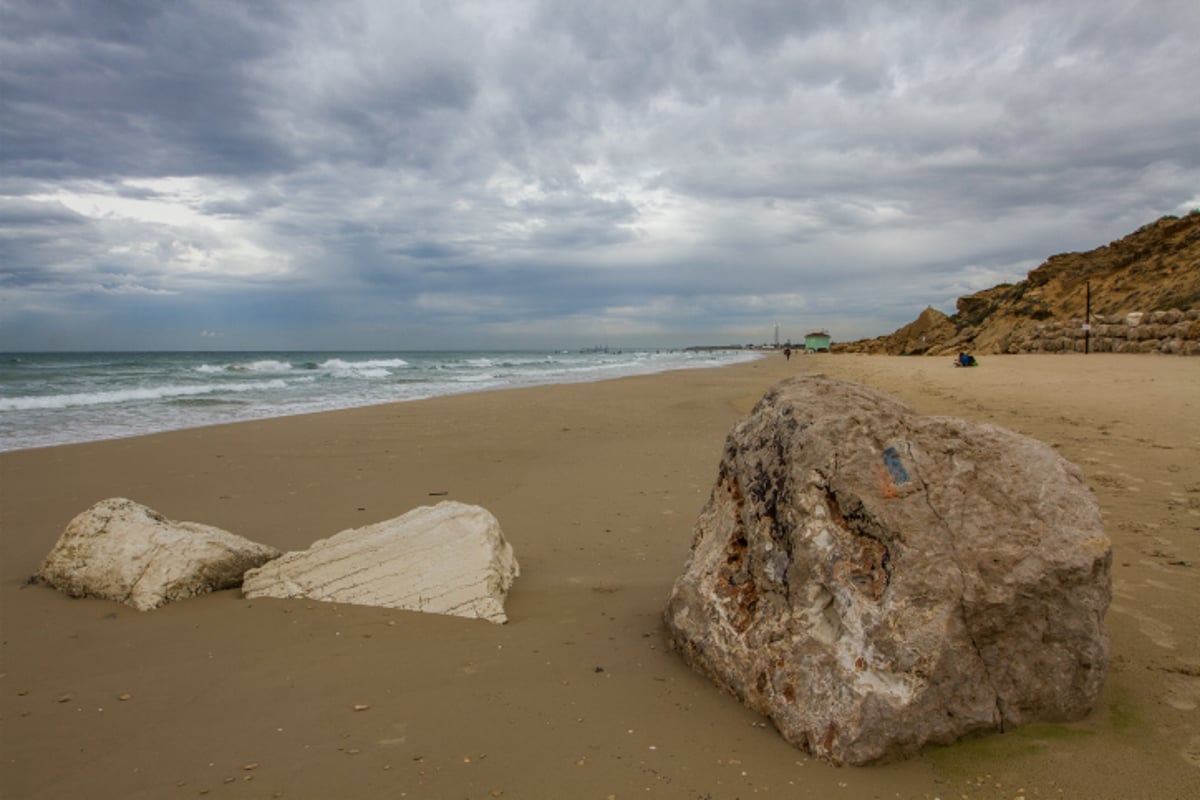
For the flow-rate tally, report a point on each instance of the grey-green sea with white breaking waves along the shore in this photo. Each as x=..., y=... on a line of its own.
x=56, y=399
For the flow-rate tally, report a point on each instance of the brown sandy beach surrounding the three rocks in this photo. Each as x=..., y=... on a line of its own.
x=597, y=486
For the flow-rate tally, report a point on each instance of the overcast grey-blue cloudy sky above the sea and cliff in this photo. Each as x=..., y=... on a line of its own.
x=386, y=175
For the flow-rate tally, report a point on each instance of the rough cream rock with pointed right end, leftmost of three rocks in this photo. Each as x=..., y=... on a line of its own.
x=123, y=551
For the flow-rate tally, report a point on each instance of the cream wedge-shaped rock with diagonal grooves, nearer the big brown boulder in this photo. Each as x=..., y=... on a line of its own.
x=445, y=560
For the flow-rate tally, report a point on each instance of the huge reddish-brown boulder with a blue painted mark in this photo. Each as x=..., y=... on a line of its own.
x=875, y=581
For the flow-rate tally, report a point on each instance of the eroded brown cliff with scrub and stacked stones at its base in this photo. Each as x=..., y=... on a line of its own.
x=1145, y=292
